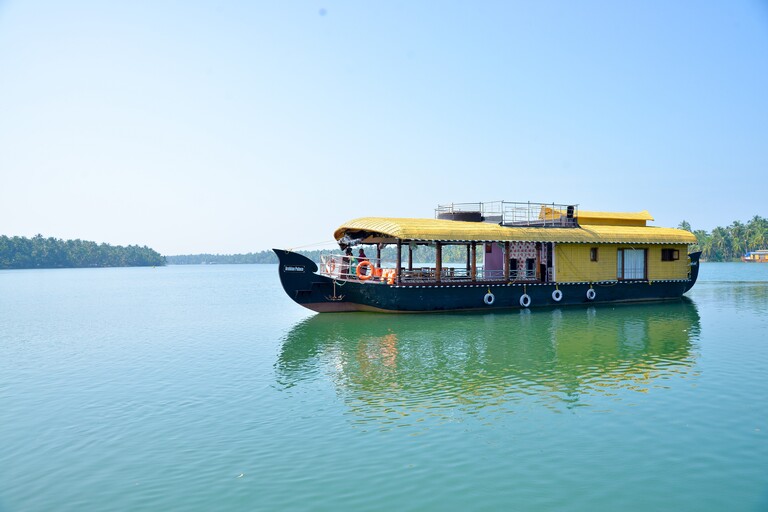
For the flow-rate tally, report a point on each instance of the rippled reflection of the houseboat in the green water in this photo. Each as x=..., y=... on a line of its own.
x=391, y=368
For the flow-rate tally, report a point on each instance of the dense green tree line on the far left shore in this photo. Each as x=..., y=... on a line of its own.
x=40, y=252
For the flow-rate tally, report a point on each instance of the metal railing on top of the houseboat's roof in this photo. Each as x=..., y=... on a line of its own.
x=509, y=213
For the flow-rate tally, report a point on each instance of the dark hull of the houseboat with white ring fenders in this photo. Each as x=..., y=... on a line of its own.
x=322, y=294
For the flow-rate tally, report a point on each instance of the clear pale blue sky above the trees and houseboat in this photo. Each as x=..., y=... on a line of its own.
x=240, y=126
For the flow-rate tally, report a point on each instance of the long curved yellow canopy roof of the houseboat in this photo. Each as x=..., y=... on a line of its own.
x=377, y=229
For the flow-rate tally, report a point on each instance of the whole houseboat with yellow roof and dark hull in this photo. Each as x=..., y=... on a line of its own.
x=517, y=255
